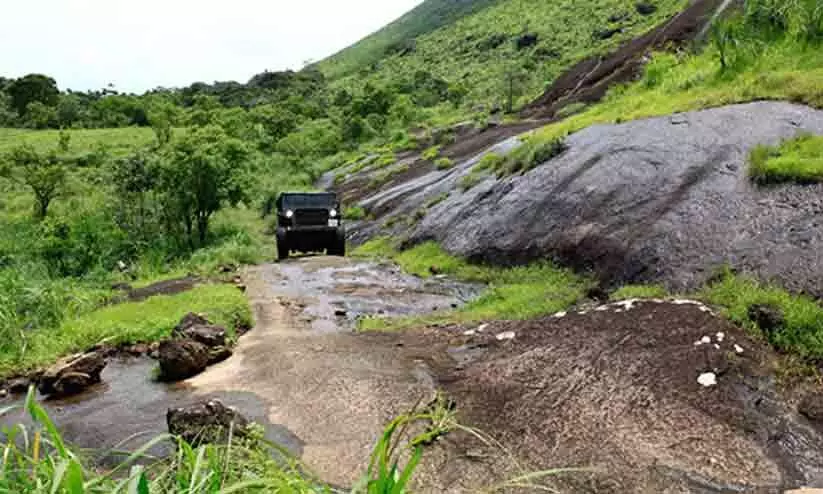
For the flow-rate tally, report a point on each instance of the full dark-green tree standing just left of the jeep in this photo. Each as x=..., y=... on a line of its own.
x=198, y=174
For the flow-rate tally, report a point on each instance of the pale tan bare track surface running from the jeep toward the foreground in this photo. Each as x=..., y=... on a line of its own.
x=332, y=388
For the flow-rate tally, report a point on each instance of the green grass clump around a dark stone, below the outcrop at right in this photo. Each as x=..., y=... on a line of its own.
x=802, y=333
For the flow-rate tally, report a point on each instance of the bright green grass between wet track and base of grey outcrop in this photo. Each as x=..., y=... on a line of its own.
x=513, y=293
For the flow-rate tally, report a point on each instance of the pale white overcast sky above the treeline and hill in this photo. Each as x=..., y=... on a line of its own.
x=141, y=44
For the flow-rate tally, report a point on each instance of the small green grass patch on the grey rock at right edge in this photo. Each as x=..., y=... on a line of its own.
x=798, y=160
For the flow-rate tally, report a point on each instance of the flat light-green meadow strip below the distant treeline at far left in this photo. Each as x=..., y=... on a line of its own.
x=118, y=142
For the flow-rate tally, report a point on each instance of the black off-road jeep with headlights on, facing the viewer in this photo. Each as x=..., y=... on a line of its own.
x=309, y=222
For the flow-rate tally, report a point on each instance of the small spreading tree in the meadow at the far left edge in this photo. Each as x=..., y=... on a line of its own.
x=45, y=175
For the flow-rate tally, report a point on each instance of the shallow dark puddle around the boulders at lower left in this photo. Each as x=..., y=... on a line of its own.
x=128, y=409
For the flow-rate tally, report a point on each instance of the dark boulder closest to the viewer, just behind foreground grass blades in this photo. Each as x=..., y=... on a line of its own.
x=206, y=422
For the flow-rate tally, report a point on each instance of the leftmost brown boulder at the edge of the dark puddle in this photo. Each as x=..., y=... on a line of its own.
x=72, y=374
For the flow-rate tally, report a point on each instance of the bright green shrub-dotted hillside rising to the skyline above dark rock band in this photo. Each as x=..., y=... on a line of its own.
x=511, y=45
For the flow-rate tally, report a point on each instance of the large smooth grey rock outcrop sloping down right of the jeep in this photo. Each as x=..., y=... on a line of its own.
x=663, y=199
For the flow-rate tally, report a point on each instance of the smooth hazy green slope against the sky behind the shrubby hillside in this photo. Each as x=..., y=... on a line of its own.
x=425, y=18
